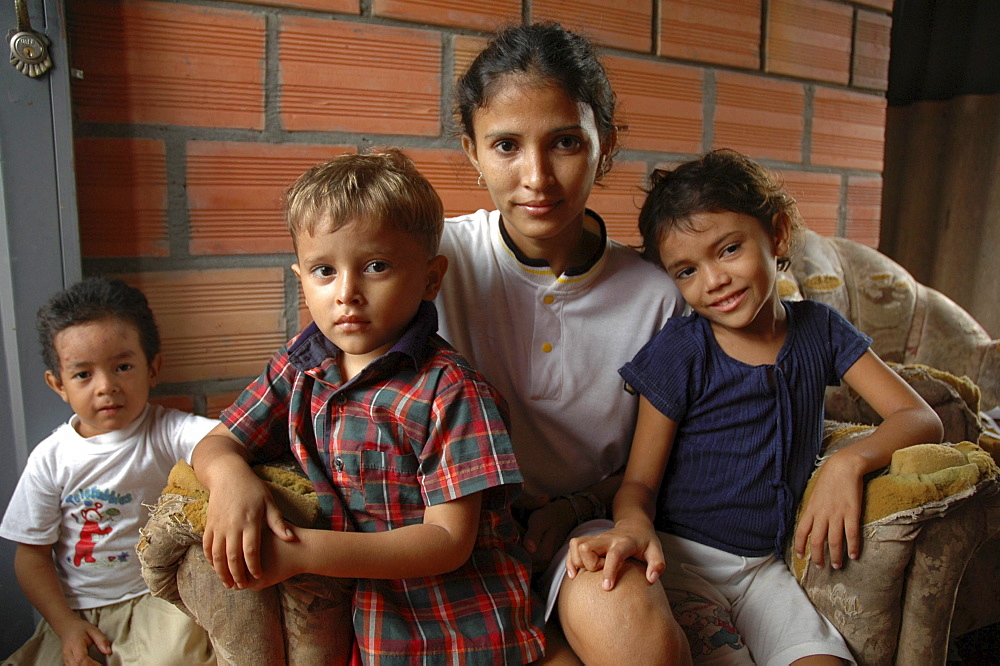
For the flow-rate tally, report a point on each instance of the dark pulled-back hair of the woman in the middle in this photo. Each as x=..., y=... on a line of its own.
x=547, y=51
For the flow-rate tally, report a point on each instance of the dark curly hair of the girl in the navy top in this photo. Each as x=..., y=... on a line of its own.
x=722, y=180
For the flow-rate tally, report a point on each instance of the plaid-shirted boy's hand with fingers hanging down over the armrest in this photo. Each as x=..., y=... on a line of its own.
x=233, y=528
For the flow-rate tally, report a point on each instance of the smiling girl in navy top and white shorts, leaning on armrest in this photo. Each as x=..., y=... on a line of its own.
x=730, y=424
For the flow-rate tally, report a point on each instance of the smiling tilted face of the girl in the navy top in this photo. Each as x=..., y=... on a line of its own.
x=726, y=266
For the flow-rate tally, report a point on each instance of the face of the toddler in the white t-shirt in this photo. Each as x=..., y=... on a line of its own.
x=103, y=374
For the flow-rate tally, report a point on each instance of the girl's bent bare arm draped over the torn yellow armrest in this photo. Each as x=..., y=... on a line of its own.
x=835, y=507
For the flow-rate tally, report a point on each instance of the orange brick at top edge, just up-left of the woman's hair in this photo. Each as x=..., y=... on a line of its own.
x=458, y=13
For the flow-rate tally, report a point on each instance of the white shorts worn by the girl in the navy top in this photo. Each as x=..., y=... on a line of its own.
x=743, y=610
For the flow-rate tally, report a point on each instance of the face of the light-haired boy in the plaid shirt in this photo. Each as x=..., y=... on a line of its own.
x=363, y=284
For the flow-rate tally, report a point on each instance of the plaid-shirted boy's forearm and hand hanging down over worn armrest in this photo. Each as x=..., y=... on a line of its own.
x=238, y=503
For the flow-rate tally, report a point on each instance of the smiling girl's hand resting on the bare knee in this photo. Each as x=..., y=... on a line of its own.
x=612, y=549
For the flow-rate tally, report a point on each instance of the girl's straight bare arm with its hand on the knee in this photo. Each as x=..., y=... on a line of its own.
x=634, y=505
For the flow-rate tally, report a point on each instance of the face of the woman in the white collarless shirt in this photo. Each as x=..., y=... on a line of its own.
x=538, y=151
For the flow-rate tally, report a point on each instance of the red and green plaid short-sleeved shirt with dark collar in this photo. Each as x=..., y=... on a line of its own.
x=417, y=427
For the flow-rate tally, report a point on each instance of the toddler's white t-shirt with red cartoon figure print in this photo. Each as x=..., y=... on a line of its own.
x=86, y=496
